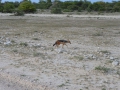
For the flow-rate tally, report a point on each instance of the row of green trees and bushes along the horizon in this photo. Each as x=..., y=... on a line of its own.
x=57, y=6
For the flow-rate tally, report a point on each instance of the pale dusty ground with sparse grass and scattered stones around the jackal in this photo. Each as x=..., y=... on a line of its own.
x=28, y=60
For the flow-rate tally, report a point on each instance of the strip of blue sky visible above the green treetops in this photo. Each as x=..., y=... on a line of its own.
x=63, y=0
